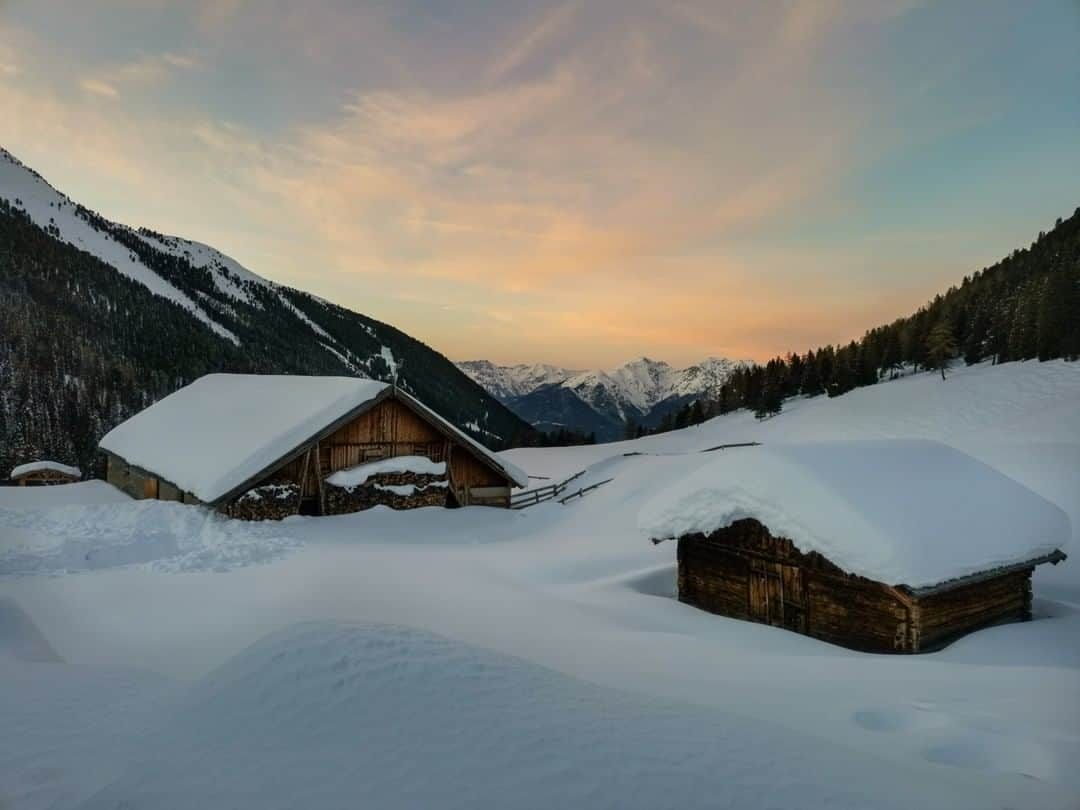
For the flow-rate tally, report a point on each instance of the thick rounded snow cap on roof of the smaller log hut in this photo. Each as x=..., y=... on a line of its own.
x=916, y=512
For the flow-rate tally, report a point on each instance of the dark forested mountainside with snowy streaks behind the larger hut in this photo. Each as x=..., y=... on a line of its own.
x=99, y=320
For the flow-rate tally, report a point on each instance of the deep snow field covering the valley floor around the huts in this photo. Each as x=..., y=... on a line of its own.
x=157, y=656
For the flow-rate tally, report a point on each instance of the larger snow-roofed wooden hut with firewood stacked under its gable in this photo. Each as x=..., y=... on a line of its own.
x=269, y=447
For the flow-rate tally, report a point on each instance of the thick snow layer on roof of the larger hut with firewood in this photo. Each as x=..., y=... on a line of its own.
x=214, y=435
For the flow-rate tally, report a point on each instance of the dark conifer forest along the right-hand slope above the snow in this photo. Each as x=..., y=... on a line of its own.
x=1025, y=307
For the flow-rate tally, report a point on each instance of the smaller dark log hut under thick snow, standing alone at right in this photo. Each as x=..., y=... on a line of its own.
x=879, y=546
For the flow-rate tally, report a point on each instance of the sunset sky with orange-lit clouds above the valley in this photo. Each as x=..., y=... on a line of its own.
x=576, y=183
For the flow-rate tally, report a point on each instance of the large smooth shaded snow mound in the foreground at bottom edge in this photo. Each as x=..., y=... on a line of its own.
x=330, y=715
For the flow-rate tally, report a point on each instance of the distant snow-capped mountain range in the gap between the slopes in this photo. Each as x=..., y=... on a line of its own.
x=600, y=402
